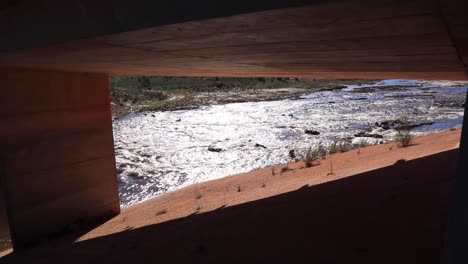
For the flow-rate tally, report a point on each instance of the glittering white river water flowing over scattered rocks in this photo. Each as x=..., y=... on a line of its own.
x=157, y=152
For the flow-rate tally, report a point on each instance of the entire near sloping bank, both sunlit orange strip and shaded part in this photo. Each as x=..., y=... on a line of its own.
x=380, y=201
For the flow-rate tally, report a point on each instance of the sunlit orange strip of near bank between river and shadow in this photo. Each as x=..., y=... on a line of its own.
x=272, y=181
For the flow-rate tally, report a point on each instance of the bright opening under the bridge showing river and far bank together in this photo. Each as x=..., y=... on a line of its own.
x=174, y=132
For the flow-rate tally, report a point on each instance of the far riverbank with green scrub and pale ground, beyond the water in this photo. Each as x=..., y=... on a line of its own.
x=141, y=93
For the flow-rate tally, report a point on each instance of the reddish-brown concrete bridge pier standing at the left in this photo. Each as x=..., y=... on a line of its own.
x=56, y=145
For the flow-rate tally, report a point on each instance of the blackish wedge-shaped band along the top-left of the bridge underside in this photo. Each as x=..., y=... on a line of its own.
x=110, y=16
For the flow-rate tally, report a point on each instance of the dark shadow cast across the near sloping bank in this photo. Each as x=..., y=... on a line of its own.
x=395, y=214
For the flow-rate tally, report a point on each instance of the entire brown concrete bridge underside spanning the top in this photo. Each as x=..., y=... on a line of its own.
x=417, y=39
